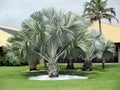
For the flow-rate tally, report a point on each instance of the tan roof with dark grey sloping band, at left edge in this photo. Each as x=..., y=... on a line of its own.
x=5, y=33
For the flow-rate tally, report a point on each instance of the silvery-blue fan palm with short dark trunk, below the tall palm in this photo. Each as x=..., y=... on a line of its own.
x=89, y=48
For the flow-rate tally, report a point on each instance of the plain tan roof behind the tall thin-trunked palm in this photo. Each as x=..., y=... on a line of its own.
x=110, y=32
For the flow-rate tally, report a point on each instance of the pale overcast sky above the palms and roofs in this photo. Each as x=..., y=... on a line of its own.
x=14, y=12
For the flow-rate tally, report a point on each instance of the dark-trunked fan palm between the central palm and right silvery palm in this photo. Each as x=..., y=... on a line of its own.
x=72, y=51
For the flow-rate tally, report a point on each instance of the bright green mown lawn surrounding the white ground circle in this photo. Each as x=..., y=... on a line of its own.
x=14, y=78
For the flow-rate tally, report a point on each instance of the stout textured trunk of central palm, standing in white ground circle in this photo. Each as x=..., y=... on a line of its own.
x=53, y=69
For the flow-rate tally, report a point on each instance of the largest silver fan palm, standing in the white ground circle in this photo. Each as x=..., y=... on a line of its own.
x=59, y=31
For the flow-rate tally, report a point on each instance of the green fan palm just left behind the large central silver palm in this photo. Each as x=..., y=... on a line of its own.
x=31, y=41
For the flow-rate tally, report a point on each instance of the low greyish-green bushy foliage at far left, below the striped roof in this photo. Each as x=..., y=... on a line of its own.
x=12, y=57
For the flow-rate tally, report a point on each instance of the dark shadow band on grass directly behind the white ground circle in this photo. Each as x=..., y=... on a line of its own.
x=90, y=75
